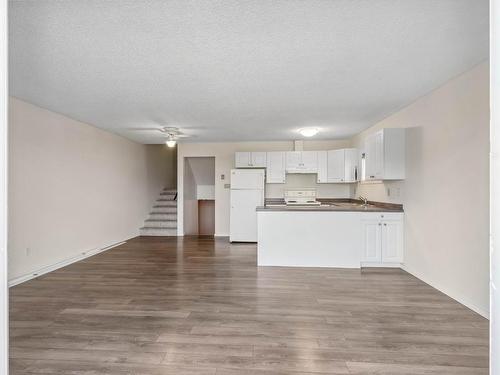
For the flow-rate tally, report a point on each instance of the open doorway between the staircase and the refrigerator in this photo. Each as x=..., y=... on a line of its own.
x=199, y=196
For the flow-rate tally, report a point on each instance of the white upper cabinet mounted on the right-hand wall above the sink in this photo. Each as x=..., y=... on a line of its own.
x=384, y=155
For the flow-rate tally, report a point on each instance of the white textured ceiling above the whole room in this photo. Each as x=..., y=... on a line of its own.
x=239, y=70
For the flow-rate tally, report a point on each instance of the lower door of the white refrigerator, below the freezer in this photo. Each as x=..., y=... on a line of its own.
x=243, y=217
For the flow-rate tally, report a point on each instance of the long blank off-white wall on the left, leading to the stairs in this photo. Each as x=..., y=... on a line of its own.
x=73, y=187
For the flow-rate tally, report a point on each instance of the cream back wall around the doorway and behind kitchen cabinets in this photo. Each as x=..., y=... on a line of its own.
x=224, y=162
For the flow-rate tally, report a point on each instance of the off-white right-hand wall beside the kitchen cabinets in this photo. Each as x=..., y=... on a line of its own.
x=445, y=194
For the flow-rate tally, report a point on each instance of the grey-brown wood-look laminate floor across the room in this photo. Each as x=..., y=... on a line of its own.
x=167, y=305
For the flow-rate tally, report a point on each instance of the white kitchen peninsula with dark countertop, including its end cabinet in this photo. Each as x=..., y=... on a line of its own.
x=338, y=233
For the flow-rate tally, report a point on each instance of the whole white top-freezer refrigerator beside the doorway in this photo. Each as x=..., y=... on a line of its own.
x=247, y=192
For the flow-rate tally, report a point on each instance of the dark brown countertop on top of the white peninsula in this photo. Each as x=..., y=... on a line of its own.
x=341, y=205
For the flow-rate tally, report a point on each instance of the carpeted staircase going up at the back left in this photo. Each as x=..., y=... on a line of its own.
x=162, y=219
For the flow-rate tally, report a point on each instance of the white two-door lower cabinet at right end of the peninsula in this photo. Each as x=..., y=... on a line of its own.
x=383, y=240
